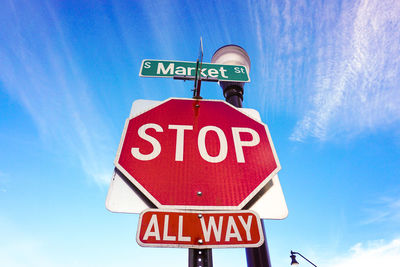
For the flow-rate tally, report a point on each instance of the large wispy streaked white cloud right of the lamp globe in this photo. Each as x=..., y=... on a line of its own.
x=334, y=65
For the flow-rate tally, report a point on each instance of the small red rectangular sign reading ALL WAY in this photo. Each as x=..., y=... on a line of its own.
x=199, y=229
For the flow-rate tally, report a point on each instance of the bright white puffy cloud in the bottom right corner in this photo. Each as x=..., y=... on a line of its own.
x=369, y=254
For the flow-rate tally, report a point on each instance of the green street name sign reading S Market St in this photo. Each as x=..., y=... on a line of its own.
x=168, y=68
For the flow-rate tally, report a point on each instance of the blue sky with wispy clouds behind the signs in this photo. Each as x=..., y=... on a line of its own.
x=325, y=77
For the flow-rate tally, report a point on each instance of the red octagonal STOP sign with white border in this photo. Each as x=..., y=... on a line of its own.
x=197, y=154
